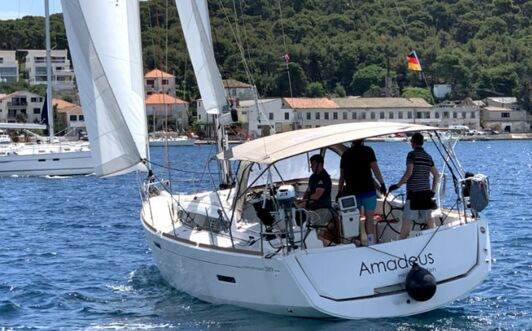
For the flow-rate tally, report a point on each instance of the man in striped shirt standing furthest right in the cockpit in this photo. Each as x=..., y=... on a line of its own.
x=419, y=194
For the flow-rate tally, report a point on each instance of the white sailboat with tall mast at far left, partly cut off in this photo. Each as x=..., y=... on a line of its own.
x=53, y=158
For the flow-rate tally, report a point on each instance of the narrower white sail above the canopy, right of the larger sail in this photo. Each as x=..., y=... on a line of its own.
x=194, y=17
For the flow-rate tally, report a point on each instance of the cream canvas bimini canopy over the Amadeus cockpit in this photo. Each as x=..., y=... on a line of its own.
x=280, y=146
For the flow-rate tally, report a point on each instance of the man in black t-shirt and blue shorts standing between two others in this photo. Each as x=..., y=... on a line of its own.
x=356, y=167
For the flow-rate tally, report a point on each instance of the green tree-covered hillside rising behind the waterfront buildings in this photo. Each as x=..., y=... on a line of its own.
x=481, y=47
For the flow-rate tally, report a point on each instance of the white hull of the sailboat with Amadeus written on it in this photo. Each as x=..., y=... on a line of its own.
x=343, y=281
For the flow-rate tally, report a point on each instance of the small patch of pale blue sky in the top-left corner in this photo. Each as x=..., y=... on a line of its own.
x=13, y=9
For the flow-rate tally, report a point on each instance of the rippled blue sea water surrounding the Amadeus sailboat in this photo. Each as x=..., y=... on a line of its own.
x=73, y=254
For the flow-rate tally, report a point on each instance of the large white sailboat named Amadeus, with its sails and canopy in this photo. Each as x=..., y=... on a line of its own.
x=240, y=244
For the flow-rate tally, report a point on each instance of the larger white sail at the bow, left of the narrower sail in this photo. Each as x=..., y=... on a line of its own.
x=104, y=40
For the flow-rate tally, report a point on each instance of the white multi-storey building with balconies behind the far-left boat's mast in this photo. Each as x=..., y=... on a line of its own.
x=62, y=73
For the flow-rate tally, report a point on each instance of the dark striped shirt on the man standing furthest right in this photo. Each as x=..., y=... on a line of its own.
x=420, y=178
